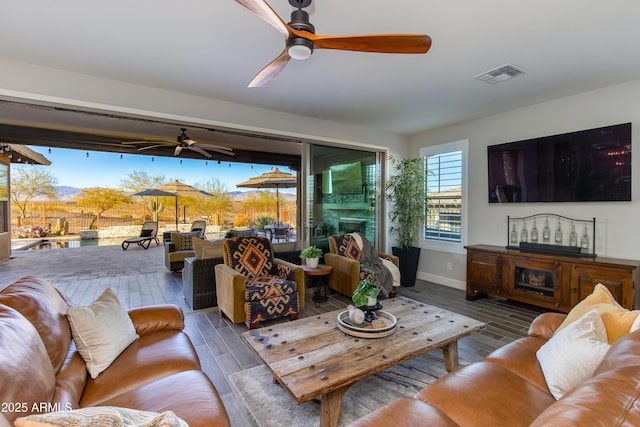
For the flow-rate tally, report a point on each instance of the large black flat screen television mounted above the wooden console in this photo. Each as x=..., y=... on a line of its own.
x=585, y=166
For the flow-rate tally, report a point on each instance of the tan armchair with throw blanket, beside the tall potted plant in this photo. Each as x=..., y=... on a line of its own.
x=345, y=256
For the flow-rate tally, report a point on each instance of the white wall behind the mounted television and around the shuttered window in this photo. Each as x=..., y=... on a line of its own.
x=617, y=223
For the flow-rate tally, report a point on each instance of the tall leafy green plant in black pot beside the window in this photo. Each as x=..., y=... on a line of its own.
x=406, y=191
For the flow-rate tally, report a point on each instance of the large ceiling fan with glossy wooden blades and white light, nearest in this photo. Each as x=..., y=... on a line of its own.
x=301, y=39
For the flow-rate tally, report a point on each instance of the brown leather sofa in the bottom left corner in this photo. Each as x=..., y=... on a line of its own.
x=41, y=371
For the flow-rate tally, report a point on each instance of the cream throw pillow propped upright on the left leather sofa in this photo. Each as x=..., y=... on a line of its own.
x=101, y=331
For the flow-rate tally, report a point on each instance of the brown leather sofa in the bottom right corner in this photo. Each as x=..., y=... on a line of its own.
x=508, y=389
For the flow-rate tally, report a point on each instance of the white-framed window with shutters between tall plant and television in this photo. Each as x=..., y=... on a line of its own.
x=445, y=224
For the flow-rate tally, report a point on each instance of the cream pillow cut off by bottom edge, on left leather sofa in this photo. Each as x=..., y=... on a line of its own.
x=102, y=416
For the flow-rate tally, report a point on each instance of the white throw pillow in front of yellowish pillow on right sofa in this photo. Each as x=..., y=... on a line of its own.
x=573, y=354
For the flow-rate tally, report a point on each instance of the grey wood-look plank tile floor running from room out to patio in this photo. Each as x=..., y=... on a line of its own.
x=139, y=278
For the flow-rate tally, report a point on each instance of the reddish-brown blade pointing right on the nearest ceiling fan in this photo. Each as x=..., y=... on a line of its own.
x=381, y=43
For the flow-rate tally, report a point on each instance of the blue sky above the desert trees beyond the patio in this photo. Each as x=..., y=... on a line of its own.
x=74, y=169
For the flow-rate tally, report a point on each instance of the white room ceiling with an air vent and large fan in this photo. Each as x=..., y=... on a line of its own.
x=213, y=49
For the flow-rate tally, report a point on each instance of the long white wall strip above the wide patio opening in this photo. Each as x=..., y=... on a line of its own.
x=35, y=83
